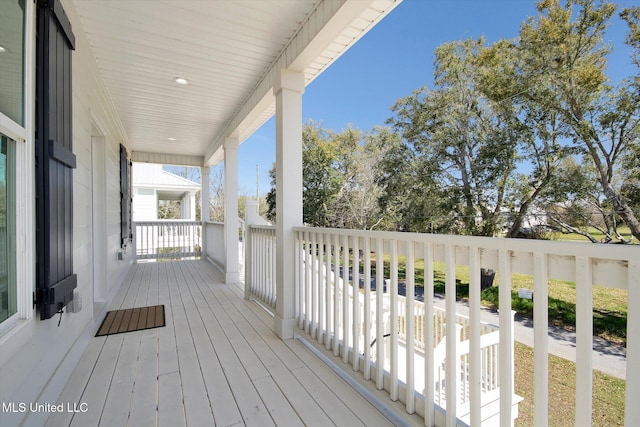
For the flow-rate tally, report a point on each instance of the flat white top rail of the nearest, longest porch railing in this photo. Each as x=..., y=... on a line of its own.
x=592, y=250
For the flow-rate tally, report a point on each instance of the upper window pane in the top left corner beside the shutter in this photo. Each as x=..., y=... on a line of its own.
x=12, y=59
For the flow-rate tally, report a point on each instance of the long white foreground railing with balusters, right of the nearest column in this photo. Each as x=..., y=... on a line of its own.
x=347, y=321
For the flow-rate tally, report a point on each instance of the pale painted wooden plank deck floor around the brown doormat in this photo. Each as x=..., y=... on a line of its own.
x=217, y=362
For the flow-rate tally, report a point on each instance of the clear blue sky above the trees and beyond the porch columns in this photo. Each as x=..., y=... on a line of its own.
x=394, y=59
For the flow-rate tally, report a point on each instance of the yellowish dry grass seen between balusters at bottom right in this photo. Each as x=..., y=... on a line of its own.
x=608, y=392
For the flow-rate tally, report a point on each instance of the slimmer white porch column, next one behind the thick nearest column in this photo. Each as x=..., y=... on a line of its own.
x=232, y=271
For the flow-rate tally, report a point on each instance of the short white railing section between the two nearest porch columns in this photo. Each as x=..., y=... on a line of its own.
x=260, y=262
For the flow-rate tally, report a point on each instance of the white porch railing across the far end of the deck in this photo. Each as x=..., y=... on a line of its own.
x=167, y=239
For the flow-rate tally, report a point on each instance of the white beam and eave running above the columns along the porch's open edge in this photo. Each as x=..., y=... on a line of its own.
x=329, y=31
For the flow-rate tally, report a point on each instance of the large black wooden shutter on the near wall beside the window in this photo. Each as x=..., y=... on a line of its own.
x=55, y=160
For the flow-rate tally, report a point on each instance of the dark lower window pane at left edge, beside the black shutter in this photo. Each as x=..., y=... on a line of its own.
x=7, y=231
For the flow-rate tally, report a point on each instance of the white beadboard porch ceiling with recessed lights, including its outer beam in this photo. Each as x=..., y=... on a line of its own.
x=226, y=49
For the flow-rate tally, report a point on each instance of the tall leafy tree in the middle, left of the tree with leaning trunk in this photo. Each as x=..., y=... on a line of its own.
x=460, y=145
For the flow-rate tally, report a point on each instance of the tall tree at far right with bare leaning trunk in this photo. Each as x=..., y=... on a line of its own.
x=562, y=65
